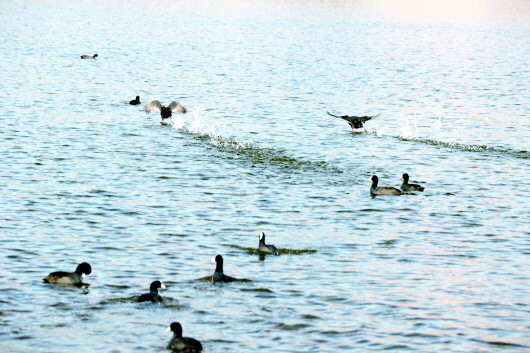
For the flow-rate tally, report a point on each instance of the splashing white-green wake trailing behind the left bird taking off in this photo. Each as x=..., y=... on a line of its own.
x=214, y=132
